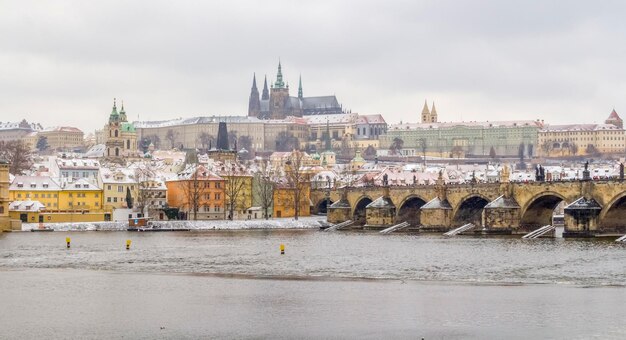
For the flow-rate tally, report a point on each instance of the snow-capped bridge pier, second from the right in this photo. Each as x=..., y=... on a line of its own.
x=501, y=216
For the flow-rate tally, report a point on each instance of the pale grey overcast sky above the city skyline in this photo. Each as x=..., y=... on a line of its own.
x=62, y=62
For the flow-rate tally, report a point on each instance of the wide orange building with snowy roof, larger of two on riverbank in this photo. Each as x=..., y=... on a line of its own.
x=198, y=193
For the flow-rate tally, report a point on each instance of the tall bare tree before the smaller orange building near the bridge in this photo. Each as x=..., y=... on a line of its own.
x=297, y=180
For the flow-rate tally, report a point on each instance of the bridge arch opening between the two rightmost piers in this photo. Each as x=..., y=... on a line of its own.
x=538, y=211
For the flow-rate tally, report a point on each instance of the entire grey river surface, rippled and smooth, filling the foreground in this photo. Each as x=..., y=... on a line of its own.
x=236, y=284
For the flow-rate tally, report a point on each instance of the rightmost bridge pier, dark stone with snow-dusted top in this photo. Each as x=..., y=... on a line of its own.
x=582, y=218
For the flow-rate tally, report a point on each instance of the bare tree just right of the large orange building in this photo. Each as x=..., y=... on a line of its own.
x=235, y=188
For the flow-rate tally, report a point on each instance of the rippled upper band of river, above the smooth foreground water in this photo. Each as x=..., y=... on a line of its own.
x=334, y=255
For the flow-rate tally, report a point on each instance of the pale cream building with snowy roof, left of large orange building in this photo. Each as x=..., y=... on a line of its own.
x=115, y=184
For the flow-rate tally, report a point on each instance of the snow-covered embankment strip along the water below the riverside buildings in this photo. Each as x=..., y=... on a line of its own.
x=276, y=223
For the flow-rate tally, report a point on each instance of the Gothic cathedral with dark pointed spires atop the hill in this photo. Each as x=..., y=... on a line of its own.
x=276, y=103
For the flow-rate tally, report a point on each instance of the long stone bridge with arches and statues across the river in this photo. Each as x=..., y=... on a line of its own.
x=592, y=207
